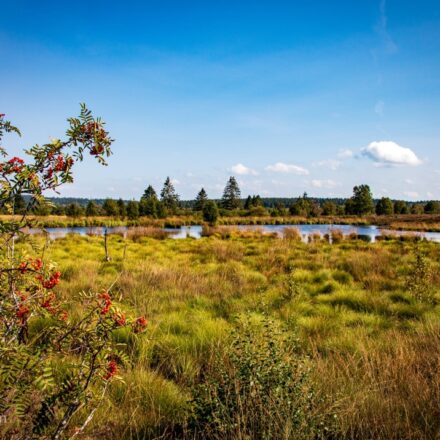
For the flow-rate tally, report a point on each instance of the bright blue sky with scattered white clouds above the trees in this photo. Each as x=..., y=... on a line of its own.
x=288, y=96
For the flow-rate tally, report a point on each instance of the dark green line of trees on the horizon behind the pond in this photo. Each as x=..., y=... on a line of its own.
x=168, y=202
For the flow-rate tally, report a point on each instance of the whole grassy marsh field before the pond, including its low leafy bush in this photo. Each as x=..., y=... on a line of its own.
x=260, y=337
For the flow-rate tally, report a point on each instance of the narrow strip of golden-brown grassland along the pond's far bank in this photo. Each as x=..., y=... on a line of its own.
x=423, y=222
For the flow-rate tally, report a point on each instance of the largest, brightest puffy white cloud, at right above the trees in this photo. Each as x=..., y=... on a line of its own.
x=390, y=153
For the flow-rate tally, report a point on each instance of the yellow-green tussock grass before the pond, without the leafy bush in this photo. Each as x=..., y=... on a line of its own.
x=374, y=347
